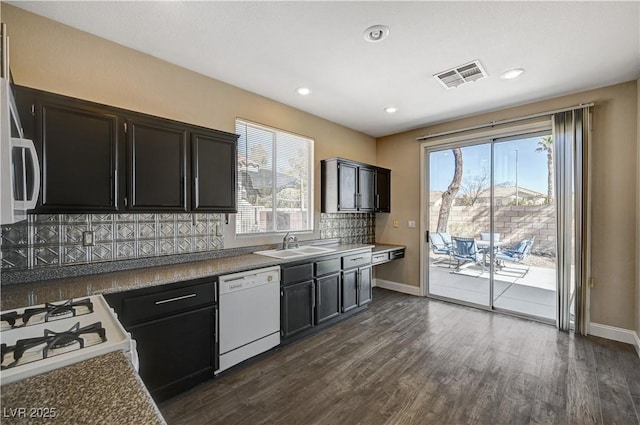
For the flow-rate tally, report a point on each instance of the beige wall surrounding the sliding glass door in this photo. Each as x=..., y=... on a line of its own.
x=615, y=159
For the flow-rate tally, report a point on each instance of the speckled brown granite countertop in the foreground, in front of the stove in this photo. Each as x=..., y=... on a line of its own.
x=102, y=390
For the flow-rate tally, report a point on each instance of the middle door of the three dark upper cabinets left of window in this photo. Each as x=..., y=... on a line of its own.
x=157, y=166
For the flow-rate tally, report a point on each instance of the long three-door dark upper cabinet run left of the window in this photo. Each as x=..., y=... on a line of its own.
x=97, y=158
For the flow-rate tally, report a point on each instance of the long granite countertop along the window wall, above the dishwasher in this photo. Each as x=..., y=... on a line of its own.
x=24, y=294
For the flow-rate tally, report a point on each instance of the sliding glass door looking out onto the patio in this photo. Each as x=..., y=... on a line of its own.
x=491, y=225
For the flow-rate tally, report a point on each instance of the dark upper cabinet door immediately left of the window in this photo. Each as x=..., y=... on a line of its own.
x=214, y=173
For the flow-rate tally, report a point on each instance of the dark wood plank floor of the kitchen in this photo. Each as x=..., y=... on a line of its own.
x=411, y=360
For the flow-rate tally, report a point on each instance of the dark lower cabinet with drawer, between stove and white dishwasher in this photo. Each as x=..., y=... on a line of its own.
x=175, y=329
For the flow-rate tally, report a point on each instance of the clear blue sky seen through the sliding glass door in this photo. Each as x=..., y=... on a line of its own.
x=531, y=165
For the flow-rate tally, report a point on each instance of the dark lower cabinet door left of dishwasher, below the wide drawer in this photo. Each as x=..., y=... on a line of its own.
x=176, y=352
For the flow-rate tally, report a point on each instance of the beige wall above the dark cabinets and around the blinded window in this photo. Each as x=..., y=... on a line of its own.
x=57, y=58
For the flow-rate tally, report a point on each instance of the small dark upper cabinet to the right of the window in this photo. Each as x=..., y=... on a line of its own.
x=350, y=186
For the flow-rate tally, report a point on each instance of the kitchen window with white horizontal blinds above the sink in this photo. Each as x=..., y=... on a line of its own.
x=275, y=180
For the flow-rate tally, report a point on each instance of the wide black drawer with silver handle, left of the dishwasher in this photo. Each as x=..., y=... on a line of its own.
x=165, y=303
